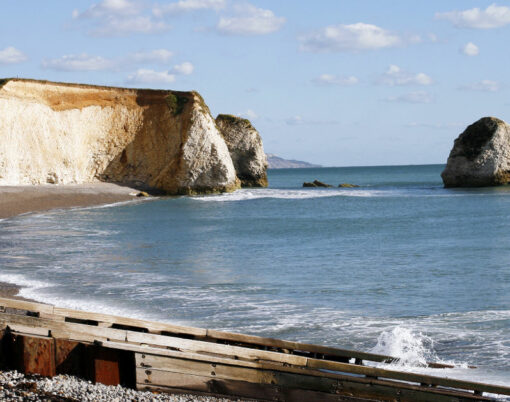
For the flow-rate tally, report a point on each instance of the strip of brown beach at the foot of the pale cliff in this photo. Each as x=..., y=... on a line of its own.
x=15, y=200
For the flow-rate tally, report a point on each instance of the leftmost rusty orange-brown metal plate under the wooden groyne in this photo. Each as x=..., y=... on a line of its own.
x=34, y=355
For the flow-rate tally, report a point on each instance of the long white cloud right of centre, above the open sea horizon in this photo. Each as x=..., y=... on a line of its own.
x=339, y=38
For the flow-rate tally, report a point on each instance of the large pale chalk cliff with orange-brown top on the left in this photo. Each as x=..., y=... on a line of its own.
x=67, y=133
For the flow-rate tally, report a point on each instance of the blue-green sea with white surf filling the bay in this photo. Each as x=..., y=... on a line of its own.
x=399, y=265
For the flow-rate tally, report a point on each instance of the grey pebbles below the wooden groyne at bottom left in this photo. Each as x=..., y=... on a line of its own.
x=15, y=386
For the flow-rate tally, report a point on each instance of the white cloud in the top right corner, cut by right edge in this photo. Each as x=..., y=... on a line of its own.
x=492, y=17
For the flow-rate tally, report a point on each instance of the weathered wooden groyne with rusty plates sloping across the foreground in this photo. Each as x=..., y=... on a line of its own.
x=43, y=339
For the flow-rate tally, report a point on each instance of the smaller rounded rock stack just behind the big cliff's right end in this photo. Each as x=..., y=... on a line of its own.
x=246, y=149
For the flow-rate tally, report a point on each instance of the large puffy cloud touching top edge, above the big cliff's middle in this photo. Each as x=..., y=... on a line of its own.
x=118, y=18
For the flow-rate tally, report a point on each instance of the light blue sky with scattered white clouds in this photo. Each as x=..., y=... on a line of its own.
x=333, y=82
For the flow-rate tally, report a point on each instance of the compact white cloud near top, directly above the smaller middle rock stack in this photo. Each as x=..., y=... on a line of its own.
x=250, y=20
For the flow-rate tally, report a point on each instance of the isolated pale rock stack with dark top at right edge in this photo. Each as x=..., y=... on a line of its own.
x=480, y=155
